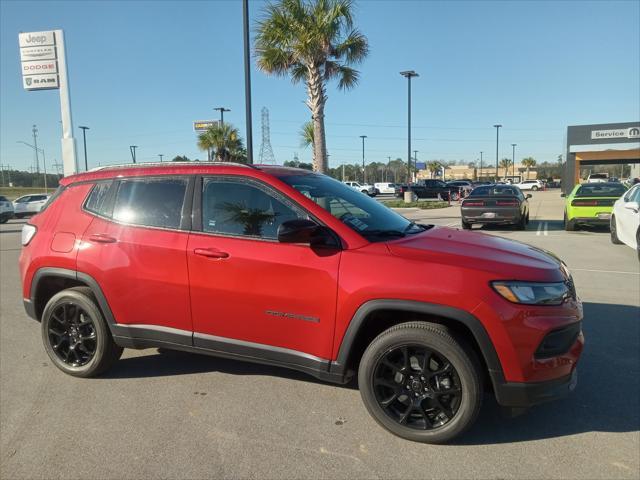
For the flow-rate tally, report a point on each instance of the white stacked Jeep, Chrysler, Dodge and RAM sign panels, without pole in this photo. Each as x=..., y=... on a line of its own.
x=38, y=60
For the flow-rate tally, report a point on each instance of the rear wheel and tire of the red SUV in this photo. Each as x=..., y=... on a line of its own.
x=82, y=319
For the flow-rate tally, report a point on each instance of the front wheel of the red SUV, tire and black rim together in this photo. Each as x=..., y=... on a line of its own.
x=426, y=419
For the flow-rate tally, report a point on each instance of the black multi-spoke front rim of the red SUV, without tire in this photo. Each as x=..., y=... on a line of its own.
x=417, y=387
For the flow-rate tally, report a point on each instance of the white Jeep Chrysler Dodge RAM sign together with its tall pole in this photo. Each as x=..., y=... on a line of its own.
x=44, y=67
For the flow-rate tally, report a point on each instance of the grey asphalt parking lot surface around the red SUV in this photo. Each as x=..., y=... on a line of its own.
x=177, y=415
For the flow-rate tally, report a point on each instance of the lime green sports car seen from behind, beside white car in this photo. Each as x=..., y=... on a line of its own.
x=591, y=204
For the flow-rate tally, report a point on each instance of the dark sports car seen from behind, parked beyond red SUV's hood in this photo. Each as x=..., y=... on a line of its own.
x=496, y=204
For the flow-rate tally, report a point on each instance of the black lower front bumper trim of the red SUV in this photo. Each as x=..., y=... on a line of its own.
x=523, y=395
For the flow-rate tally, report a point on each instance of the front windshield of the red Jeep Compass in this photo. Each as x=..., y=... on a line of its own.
x=359, y=212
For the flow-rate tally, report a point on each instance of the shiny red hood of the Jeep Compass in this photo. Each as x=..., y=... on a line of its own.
x=507, y=259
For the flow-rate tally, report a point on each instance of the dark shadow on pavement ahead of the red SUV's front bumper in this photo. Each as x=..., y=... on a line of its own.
x=605, y=400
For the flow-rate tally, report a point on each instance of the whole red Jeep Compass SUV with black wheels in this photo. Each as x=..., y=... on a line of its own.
x=291, y=268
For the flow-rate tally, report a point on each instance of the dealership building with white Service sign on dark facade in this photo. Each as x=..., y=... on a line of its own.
x=600, y=144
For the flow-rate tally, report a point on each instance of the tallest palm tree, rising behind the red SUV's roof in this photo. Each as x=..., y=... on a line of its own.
x=312, y=41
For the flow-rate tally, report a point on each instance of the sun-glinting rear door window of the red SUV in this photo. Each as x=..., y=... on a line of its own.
x=152, y=202
